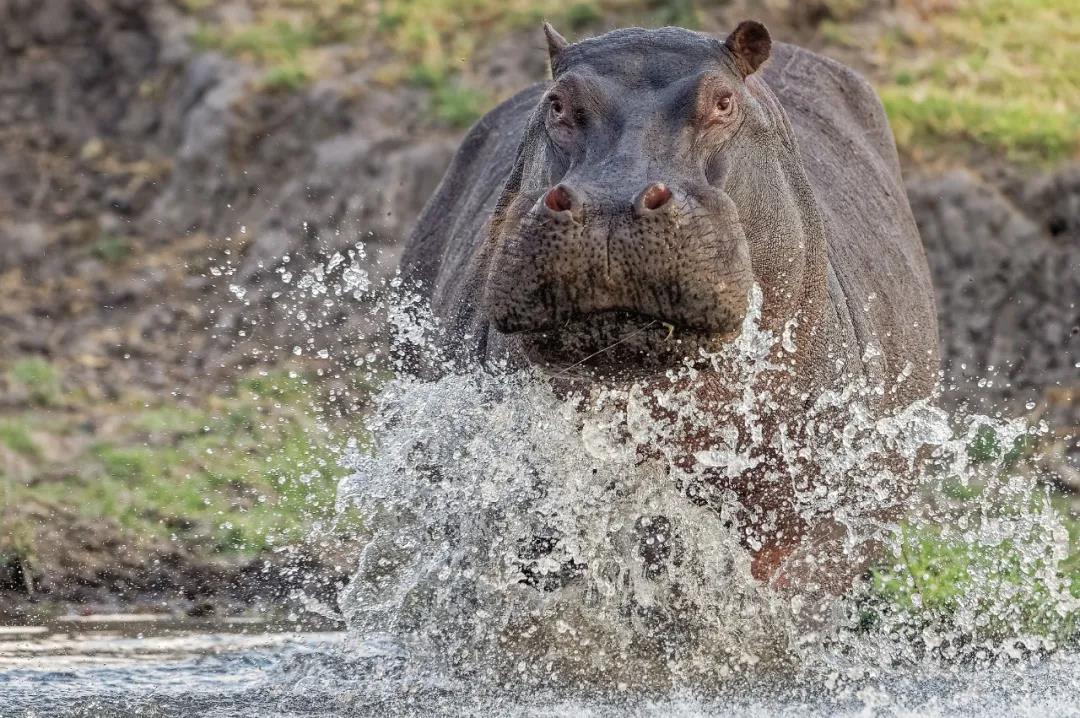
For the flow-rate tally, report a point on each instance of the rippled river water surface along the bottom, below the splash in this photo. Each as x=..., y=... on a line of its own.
x=70, y=672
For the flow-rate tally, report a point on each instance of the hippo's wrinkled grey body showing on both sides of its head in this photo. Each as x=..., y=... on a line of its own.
x=875, y=286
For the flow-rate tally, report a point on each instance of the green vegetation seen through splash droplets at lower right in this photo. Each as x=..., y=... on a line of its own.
x=1008, y=562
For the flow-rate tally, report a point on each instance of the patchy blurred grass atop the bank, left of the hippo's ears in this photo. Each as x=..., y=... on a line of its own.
x=439, y=37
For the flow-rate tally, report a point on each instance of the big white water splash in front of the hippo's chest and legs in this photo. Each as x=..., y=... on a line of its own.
x=528, y=533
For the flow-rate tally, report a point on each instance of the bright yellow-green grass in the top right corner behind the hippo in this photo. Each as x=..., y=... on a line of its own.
x=1000, y=75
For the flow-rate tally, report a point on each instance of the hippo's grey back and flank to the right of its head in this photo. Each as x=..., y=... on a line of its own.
x=880, y=283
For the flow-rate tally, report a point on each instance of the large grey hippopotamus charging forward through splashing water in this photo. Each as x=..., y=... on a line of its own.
x=647, y=186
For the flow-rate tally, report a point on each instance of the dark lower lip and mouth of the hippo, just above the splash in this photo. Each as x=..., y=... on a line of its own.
x=616, y=344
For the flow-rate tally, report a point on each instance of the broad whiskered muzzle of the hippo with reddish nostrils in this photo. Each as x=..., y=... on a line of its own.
x=656, y=258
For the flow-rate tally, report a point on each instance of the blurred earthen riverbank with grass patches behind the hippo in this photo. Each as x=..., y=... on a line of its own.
x=170, y=403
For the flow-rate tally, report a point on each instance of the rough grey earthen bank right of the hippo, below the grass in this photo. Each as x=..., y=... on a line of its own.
x=1008, y=285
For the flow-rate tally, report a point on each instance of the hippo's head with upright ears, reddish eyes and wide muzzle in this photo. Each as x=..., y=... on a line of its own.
x=647, y=193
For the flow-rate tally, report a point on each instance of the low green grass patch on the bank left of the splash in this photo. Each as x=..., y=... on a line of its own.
x=237, y=476
